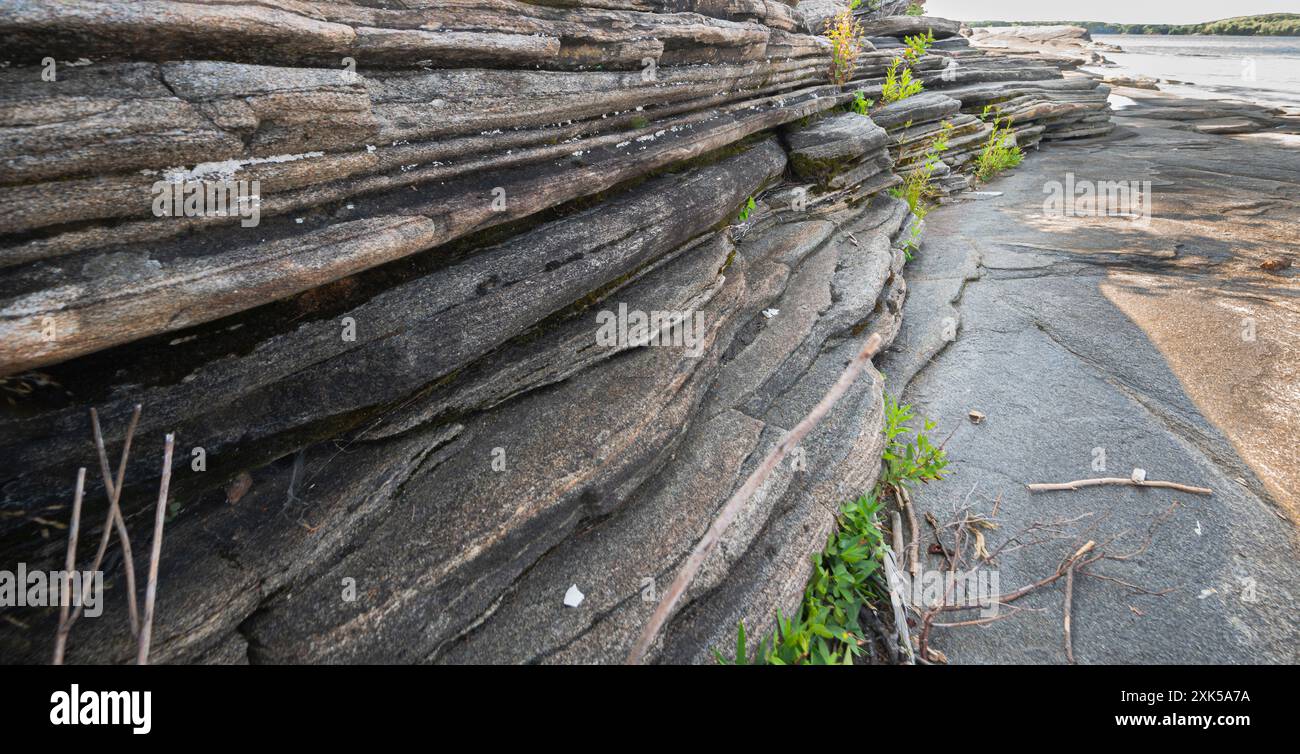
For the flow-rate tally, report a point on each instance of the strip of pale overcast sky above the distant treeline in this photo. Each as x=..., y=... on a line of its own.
x=1115, y=11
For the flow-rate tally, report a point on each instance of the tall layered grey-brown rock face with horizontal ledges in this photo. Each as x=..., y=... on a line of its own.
x=530, y=291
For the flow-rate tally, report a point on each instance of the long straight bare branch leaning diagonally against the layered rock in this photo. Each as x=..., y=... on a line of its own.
x=738, y=501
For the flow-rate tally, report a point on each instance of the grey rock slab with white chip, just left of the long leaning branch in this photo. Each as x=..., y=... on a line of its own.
x=648, y=540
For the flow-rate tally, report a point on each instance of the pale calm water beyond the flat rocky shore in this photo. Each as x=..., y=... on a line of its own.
x=1263, y=70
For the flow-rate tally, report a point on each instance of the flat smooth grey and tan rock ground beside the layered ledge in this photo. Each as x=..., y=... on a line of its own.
x=1160, y=345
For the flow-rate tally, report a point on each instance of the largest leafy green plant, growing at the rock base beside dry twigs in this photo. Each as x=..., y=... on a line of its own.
x=848, y=575
